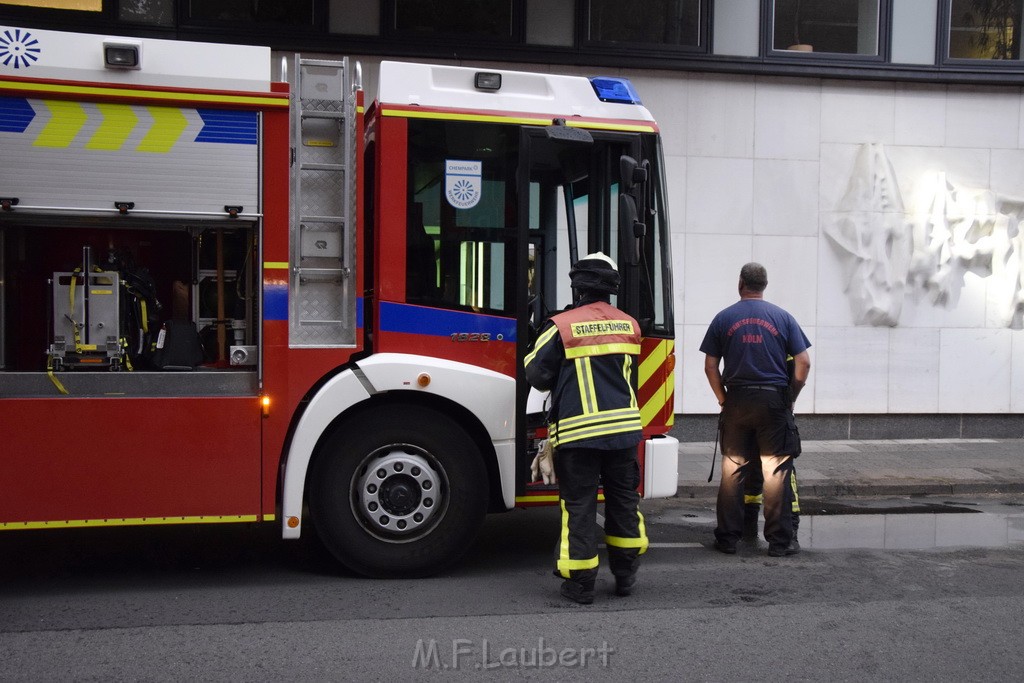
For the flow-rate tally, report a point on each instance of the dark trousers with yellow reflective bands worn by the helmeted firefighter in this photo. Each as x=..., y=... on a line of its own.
x=580, y=473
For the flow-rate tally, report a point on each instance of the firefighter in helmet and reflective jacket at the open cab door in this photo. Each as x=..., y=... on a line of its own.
x=585, y=357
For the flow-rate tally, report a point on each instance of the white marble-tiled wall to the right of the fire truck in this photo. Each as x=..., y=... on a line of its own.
x=758, y=167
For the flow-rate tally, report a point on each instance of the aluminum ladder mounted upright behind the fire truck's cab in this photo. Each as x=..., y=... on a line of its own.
x=322, y=297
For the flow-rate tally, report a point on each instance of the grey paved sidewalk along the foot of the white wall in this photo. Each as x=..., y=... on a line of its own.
x=897, y=467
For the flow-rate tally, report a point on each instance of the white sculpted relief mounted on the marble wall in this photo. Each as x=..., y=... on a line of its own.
x=953, y=230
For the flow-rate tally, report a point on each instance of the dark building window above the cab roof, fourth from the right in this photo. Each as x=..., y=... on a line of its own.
x=468, y=19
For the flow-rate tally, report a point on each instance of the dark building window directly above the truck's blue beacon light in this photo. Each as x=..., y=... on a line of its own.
x=659, y=23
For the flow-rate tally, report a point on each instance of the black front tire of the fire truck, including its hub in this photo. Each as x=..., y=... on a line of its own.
x=398, y=493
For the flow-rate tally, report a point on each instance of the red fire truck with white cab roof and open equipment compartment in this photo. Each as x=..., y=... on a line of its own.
x=234, y=292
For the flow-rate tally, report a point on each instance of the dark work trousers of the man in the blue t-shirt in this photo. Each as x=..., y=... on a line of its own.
x=755, y=417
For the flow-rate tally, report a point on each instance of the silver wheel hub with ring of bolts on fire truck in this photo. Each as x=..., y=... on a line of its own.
x=400, y=491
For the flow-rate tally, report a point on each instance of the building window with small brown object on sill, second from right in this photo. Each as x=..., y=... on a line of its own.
x=838, y=27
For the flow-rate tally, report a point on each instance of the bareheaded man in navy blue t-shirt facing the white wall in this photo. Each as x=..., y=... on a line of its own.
x=756, y=394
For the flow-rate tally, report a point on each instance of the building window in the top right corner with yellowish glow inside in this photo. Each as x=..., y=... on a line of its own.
x=986, y=29
